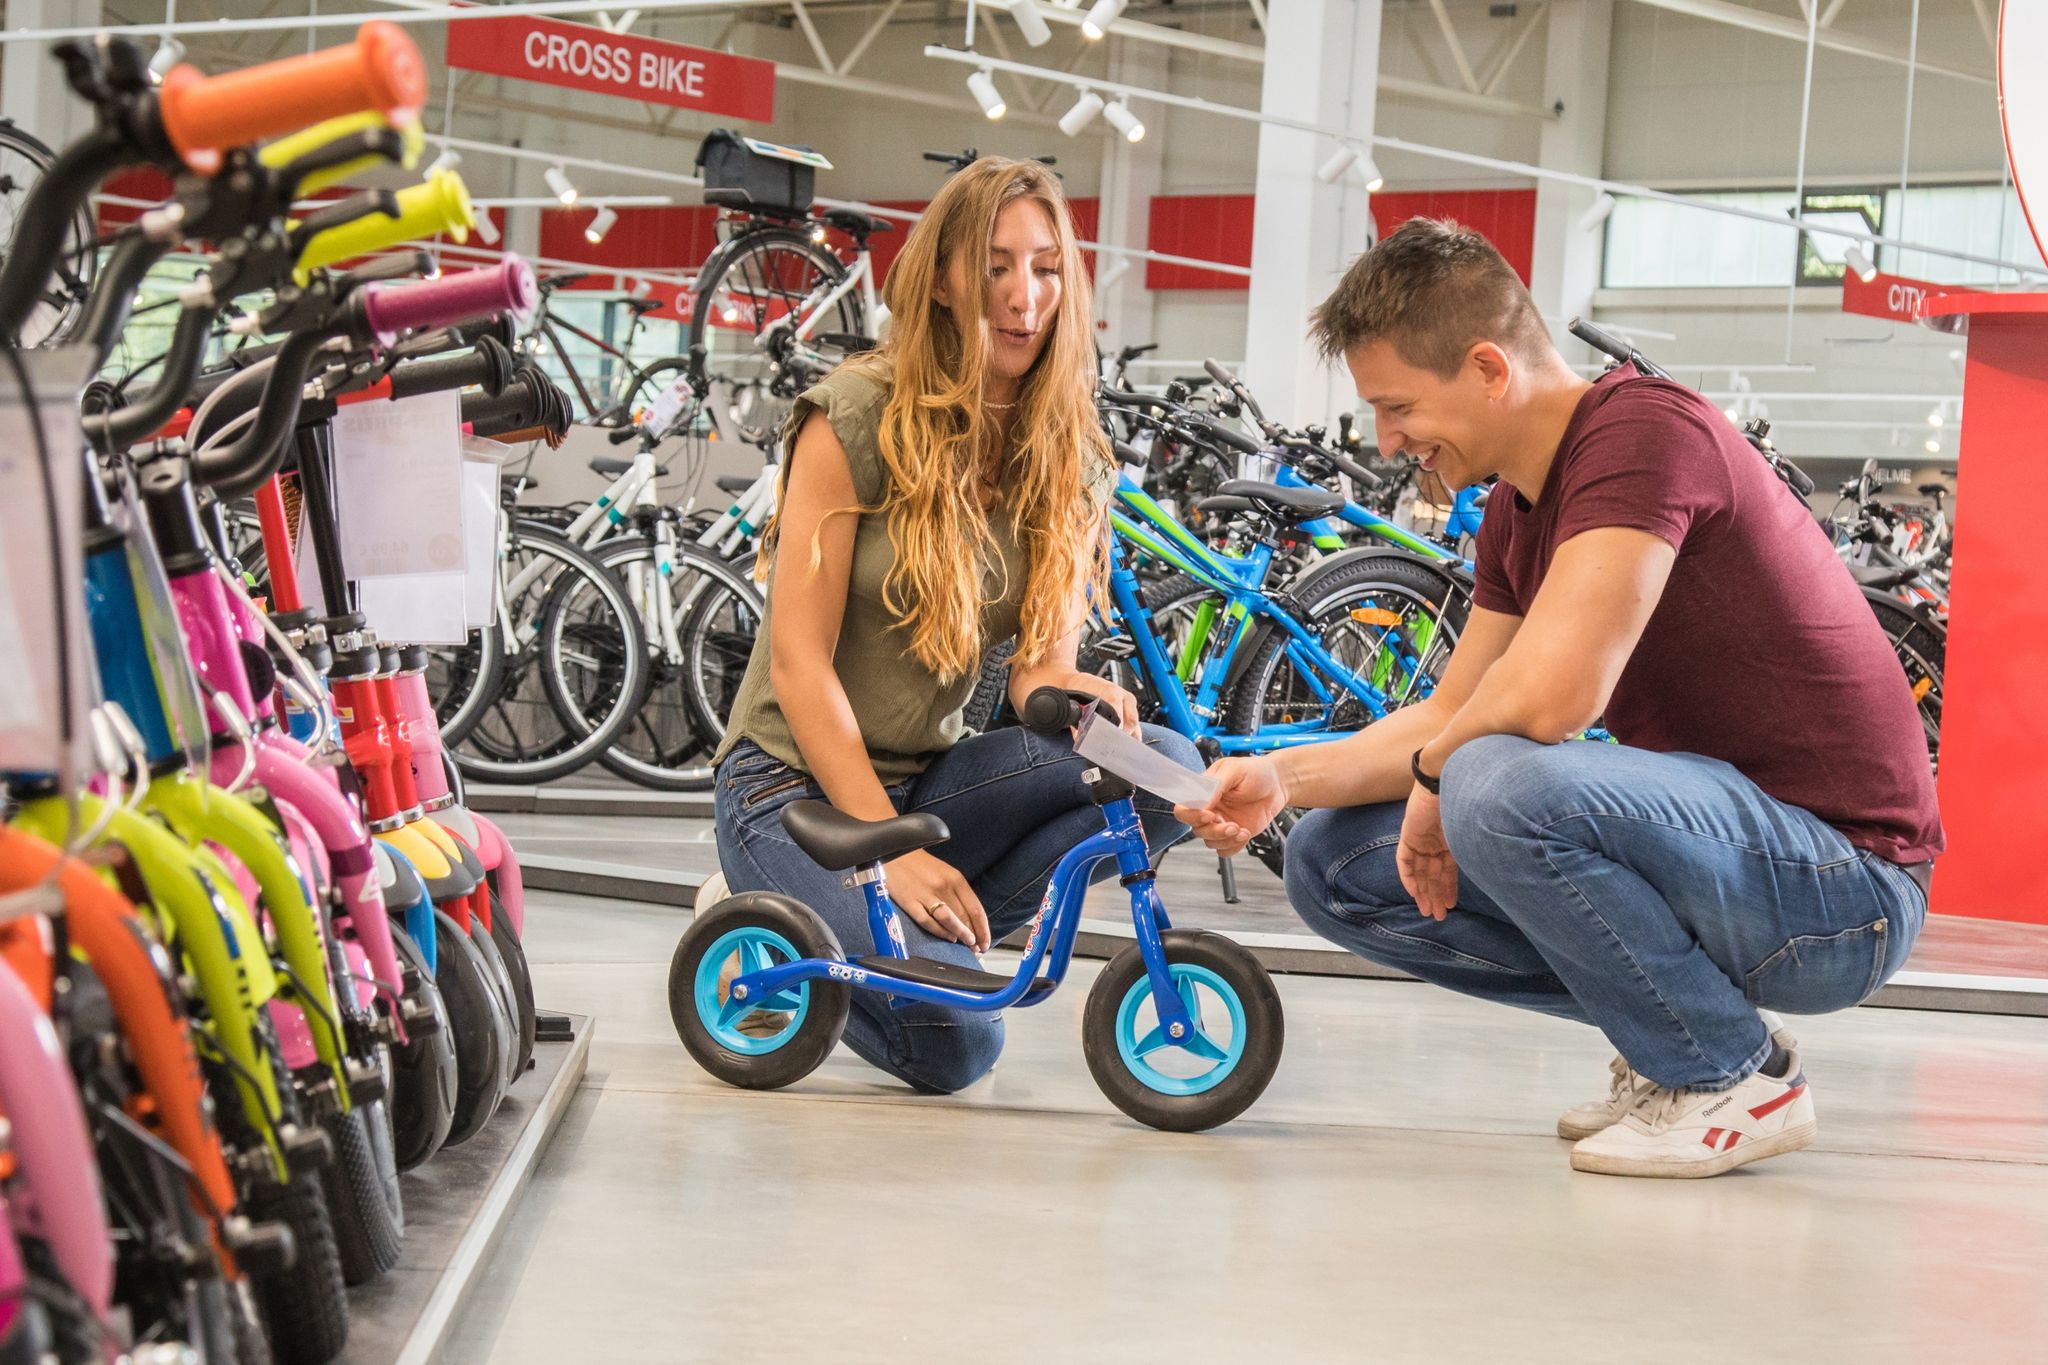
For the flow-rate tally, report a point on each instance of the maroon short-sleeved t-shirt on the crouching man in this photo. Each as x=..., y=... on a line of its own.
x=1762, y=650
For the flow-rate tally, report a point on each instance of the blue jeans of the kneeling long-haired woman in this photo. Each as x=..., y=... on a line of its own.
x=1015, y=803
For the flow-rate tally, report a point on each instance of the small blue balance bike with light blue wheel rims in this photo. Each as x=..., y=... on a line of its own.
x=1183, y=1030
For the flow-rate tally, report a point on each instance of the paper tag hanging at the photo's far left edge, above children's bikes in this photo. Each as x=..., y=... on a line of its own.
x=42, y=466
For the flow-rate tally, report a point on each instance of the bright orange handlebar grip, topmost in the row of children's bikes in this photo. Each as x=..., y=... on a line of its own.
x=382, y=71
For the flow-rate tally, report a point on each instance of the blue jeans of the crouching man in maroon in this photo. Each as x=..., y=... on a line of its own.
x=1660, y=897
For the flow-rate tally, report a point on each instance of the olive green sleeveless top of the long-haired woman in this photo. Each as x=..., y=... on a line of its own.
x=906, y=713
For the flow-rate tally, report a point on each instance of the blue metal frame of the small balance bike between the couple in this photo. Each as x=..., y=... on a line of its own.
x=1123, y=840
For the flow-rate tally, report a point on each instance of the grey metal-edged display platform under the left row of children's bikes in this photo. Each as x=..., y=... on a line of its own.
x=458, y=1206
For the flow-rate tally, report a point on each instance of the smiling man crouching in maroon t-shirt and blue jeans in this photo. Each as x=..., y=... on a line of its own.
x=1764, y=830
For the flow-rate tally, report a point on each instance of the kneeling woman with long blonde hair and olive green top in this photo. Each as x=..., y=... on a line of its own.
x=941, y=496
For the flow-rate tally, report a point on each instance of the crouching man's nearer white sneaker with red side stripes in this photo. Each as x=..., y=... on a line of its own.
x=1687, y=1135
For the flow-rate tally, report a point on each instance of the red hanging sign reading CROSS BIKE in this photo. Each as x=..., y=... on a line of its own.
x=634, y=69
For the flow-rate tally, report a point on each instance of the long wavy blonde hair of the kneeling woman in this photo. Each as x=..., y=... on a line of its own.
x=935, y=429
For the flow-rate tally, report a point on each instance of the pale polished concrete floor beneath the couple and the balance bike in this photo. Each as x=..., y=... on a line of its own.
x=1396, y=1196
